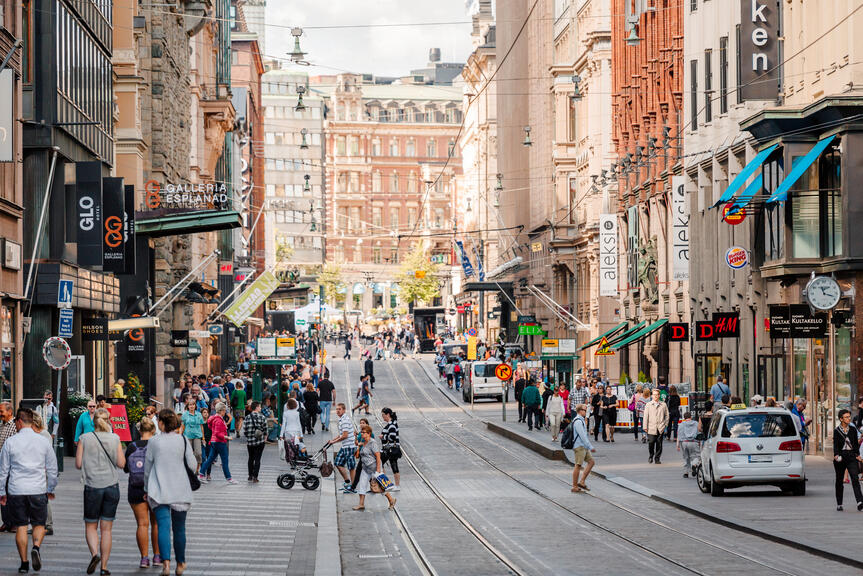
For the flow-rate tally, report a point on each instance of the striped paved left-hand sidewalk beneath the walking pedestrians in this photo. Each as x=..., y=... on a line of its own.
x=244, y=529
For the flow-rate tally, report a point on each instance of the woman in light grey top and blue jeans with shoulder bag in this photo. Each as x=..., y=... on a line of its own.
x=169, y=494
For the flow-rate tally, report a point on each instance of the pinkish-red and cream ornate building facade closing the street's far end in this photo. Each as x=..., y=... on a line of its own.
x=392, y=170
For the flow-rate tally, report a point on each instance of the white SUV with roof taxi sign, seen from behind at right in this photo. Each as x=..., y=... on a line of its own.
x=752, y=446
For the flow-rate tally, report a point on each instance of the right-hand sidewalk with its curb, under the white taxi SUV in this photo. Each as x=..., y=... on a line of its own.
x=808, y=523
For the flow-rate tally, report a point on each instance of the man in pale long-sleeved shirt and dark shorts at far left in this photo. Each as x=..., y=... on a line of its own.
x=28, y=477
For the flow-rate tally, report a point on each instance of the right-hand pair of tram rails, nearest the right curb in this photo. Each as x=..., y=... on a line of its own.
x=655, y=523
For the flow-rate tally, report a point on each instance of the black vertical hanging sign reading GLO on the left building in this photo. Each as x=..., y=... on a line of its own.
x=88, y=213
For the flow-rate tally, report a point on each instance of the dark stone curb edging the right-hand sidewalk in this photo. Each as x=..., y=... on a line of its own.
x=562, y=455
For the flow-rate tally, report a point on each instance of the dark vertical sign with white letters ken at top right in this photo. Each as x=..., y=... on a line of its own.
x=758, y=50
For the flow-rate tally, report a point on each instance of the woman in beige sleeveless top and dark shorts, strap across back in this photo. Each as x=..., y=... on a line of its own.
x=99, y=456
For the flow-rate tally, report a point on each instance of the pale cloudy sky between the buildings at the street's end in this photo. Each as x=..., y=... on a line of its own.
x=383, y=51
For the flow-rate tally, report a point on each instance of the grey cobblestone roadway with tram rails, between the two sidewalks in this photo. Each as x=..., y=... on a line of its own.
x=520, y=503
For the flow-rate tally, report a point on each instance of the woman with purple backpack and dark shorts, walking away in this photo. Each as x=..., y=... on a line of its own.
x=136, y=454
